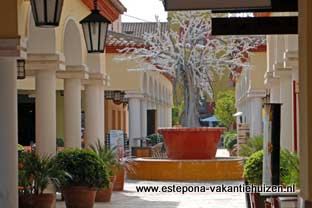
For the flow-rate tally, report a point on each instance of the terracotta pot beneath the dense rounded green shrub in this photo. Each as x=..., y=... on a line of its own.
x=79, y=197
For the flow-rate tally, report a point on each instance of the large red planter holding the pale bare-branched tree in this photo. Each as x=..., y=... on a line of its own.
x=191, y=143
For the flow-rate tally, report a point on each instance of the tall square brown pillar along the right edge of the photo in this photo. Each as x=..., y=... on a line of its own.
x=305, y=100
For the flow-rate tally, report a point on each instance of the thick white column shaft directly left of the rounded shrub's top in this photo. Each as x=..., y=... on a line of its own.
x=46, y=112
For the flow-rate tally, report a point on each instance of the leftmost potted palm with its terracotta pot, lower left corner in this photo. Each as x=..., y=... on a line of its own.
x=35, y=173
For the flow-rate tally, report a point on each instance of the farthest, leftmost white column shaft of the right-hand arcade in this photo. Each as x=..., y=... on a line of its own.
x=256, y=116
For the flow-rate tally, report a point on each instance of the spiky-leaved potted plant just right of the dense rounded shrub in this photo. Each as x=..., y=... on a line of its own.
x=110, y=159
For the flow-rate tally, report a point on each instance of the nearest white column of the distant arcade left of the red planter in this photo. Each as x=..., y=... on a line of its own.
x=134, y=121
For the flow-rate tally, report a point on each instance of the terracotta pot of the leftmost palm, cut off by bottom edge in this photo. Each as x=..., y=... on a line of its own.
x=36, y=201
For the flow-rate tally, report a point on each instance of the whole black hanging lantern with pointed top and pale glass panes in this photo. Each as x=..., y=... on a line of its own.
x=95, y=28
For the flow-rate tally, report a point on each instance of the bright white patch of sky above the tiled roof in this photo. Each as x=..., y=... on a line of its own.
x=144, y=10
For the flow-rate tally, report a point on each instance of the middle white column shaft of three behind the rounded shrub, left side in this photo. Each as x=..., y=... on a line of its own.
x=72, y=113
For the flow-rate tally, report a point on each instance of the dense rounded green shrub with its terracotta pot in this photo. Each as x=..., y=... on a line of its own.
x=87, y=174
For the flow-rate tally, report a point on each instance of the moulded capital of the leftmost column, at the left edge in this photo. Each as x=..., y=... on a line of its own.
x=13, y=47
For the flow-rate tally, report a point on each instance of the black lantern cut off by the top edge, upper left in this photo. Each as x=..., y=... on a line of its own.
x=47, y=13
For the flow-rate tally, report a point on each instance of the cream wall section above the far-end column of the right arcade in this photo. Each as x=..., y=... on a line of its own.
x=257, y=71
